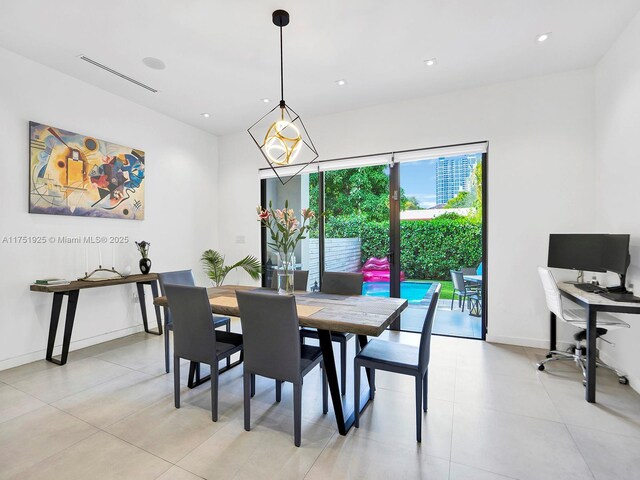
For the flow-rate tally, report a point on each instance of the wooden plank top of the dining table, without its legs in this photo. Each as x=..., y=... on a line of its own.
x=338, y=313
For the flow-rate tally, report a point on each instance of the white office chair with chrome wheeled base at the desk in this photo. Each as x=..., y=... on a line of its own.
x=575, y=317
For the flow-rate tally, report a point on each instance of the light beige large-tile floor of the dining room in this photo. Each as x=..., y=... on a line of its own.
x=109, y=414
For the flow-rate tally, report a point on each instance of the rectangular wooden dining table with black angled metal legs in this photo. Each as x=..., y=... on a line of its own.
x=364, y=316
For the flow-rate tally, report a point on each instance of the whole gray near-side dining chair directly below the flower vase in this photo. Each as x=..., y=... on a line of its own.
x=272, y=349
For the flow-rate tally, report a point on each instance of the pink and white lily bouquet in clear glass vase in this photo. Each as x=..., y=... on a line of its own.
x=286, y=231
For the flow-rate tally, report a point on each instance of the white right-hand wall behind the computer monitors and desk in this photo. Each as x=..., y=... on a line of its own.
x=617, y=193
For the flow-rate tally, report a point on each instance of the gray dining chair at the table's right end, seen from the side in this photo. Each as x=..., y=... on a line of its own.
x=400, y=358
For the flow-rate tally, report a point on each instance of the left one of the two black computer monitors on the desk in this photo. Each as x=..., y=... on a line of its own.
x=576, y=251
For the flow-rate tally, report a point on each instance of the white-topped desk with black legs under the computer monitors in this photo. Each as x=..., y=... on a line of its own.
x=592, y=303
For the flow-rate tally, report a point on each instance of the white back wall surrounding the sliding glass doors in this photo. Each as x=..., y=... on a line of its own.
x=541, y=161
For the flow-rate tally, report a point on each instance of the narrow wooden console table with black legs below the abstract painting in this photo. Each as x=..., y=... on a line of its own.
x=72, y=290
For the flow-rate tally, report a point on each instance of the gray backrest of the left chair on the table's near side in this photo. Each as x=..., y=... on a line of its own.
x=194, y=335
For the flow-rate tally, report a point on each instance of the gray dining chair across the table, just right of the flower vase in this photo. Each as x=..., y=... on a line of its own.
x=339, y=283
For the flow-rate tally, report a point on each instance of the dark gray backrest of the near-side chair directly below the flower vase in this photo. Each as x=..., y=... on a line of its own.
x=271, y=335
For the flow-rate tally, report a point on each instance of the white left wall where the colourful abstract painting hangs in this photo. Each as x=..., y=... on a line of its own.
x=180, y=214
